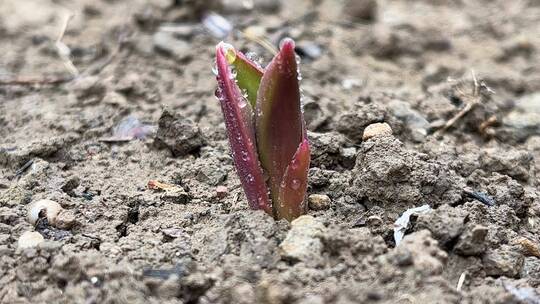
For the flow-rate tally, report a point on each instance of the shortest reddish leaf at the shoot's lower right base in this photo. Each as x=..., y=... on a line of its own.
x=293, y=185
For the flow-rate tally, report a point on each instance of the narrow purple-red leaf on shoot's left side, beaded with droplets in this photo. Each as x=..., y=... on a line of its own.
x=238, y=117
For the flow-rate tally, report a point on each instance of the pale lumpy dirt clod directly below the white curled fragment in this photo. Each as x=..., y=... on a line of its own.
x=421, y=251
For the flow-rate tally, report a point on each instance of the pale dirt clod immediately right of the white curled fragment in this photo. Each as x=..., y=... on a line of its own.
x=445, y=223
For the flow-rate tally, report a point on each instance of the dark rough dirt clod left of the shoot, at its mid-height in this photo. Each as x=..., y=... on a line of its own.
x=179, y=134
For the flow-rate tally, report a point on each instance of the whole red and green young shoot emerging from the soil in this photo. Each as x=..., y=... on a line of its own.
x=266, y=129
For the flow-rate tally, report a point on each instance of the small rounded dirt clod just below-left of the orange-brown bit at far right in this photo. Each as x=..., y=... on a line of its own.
x=503, y=261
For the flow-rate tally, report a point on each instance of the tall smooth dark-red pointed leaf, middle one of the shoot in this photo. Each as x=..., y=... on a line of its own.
x=279, y=119
